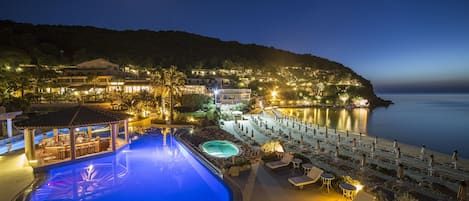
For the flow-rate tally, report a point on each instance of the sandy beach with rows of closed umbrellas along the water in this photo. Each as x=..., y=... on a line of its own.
x=441, y=180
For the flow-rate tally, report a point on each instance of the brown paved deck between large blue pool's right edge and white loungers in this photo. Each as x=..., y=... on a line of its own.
x=264, y=184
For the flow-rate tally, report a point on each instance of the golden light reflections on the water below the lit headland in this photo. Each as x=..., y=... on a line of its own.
x=354, y=120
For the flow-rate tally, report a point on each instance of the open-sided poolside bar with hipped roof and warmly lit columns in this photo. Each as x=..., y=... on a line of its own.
x=78, y=132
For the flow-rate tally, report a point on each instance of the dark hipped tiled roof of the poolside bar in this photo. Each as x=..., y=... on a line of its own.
x=72, y=117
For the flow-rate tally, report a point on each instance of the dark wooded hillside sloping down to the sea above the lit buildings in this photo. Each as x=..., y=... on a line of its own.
x=52, y=45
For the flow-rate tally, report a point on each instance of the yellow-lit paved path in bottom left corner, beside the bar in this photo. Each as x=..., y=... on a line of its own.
x=15, y=174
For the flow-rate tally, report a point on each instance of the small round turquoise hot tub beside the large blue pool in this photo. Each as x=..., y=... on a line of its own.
x=220, y=148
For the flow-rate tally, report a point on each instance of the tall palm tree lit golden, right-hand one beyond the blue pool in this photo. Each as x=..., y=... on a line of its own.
x=173, y=81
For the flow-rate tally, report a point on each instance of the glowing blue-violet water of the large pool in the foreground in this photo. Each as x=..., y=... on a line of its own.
x=146, y=170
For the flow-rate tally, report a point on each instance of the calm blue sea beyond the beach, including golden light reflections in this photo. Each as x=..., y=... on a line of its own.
x=438, y=121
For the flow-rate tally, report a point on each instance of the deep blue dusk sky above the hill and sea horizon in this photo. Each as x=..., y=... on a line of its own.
x=419, y=45
